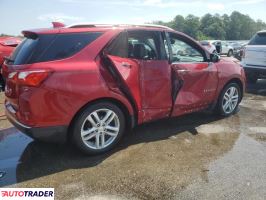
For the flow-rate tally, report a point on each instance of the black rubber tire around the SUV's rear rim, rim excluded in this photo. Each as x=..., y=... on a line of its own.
x=84, y=114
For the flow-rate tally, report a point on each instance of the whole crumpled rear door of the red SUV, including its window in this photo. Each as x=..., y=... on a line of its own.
x=139, y=61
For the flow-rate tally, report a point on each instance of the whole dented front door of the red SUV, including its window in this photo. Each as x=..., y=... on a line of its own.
x=194, y=78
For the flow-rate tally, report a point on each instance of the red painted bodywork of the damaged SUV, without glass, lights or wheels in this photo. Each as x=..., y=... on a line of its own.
x=78, y=80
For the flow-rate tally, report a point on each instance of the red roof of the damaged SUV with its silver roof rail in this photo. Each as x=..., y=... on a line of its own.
x=89, y=27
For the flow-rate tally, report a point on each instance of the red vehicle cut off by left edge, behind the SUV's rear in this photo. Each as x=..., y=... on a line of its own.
x=7, y=45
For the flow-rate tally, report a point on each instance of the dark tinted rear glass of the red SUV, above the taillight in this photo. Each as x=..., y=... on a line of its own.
x=51, y=47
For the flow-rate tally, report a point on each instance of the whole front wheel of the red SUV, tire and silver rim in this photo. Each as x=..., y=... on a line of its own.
x=229, y=100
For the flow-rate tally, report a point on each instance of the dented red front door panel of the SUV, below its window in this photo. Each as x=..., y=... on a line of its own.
x=198, y=86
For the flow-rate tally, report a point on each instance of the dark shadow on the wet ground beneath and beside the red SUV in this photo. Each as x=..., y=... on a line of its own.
x=41, y=159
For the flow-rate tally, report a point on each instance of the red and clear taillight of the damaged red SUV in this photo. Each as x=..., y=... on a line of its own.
x=29, y=78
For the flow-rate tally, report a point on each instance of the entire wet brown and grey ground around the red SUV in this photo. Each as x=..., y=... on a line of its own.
x=198, y=156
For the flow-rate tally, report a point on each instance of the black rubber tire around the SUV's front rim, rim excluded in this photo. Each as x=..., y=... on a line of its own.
x=220, y=101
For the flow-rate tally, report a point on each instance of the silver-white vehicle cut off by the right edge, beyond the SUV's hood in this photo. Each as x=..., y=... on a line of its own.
x=254, y=57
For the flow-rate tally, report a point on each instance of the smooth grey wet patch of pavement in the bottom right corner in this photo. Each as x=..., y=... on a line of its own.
x=239, y=174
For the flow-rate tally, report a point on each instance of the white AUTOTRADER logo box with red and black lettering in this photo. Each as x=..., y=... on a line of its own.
x=27, y=193
